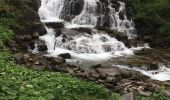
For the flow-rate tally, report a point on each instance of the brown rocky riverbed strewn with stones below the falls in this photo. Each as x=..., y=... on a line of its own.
x=118, y=80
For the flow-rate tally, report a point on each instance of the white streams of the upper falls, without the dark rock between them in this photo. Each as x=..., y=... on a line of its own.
x=51, y=10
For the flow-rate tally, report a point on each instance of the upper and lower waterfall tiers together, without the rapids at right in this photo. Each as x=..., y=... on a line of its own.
x=92, y=12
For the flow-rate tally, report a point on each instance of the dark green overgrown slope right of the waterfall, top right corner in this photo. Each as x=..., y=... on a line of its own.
x=153, y=15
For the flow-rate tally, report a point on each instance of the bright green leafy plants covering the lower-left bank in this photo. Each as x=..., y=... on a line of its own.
x=20, y=83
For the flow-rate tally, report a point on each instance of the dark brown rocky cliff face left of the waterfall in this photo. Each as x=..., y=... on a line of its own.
x=30, y=21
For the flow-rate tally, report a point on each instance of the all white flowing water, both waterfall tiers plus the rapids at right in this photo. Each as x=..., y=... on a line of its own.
x=97, y=46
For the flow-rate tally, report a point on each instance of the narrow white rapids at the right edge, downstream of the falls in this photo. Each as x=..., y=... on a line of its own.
x=162, y=74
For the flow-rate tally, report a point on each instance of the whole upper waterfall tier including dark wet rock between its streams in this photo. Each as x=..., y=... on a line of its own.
x=90, y=12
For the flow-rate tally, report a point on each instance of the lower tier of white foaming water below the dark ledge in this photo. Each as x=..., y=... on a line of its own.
x=98, y=46
